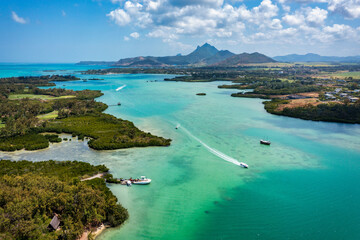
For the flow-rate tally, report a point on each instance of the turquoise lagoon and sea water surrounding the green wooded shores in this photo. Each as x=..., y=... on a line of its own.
x=304, y=186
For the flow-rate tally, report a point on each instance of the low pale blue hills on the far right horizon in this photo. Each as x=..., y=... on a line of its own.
x=311, y=57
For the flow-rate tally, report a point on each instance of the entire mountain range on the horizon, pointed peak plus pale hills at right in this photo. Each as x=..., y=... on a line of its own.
x=208, y=55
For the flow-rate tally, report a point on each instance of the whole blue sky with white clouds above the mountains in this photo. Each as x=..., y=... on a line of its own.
x=74, y=30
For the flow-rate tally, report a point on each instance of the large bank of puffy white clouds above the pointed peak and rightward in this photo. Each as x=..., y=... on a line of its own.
x=226, y=22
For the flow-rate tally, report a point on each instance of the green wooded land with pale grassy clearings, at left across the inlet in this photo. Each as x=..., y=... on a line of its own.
x=30, y=115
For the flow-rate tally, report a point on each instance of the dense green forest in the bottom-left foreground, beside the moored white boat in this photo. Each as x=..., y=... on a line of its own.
x=31, y=193
